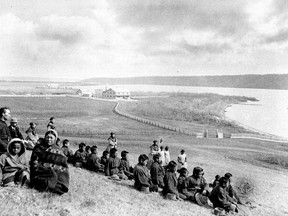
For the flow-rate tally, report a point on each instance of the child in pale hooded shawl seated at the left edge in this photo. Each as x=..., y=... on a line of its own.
x=14, y=167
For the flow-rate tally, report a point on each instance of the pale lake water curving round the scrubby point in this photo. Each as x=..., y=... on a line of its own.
x=269, y=114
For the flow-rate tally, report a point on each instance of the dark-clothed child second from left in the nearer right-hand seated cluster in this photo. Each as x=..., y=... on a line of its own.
x=157, y=172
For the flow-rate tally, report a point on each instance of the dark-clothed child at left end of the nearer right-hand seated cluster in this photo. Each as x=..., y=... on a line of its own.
x=142, y=175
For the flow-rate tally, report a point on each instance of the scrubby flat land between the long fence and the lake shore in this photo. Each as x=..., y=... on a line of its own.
x=186, y=110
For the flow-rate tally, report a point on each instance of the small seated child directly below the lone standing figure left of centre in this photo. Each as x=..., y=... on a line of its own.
x=112, y=167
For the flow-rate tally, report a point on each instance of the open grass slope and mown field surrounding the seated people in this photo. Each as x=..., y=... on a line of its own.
x=259, y=167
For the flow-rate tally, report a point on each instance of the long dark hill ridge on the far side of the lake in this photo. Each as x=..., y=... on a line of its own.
x=267, y=81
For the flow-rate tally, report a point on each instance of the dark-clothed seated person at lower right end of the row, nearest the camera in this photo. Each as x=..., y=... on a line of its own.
x=219, y=197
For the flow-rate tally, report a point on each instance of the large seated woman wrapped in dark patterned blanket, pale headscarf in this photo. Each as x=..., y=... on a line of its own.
x=48, y=166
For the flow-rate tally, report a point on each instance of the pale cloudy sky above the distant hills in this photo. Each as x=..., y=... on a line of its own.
x=72, y=39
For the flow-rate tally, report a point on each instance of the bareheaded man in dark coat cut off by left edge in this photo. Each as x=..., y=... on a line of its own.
x=5, y=135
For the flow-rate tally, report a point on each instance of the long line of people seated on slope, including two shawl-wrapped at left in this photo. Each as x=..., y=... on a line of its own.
x=48, y=170
